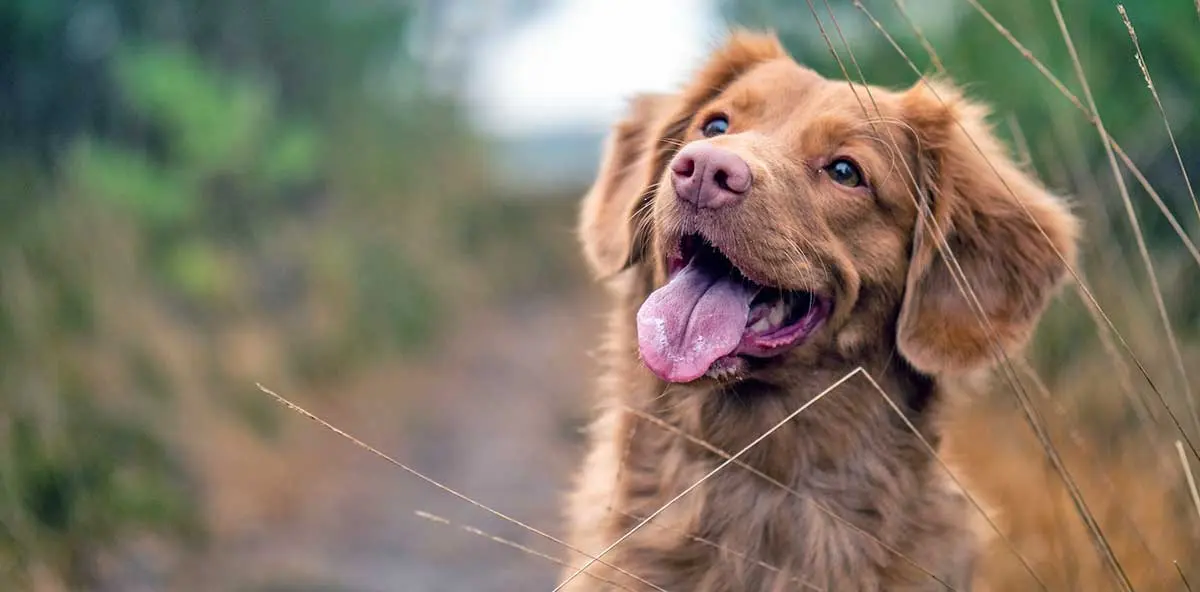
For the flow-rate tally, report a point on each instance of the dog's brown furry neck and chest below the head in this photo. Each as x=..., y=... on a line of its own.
x=813, y=501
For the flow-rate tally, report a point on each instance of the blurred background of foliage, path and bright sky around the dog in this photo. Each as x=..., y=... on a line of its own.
x=368, y=206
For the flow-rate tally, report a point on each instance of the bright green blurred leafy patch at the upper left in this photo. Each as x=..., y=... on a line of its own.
x=229, y=163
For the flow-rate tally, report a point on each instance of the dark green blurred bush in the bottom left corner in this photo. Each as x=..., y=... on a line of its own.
x=71, y=493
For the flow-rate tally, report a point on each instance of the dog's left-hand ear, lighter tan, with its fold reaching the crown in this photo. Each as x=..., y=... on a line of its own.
x=613, y=222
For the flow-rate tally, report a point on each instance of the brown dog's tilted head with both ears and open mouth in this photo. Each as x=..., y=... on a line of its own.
x=779, y=217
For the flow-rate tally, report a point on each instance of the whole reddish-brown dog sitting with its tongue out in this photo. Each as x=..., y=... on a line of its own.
x=761, y=236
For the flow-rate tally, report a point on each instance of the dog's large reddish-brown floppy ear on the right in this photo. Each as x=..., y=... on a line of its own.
x=1000, y=230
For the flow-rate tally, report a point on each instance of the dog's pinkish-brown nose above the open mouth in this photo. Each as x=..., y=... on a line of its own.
x=710, y=177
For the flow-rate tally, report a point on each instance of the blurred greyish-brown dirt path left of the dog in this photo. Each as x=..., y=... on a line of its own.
x=495, y=416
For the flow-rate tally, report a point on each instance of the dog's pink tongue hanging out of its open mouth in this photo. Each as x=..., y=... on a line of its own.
x=692, y=322
